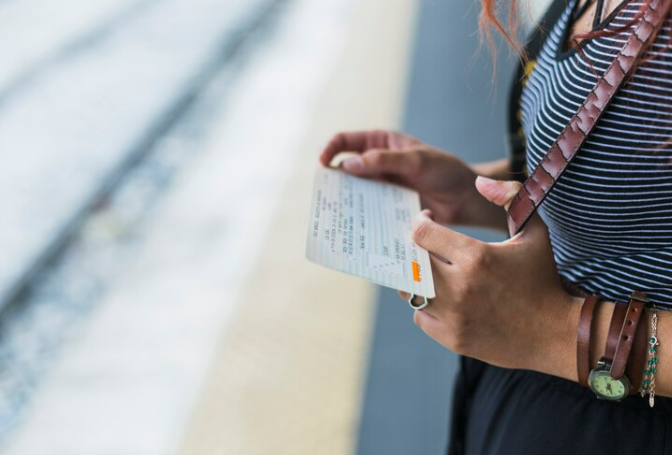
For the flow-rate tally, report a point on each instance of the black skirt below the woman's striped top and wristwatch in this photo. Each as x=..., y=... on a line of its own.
x=514, y=412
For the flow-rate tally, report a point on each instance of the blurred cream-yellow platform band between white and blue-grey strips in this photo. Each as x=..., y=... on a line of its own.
x=289, y=372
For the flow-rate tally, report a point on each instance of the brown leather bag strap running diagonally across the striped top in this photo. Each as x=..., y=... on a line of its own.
x=564, y=149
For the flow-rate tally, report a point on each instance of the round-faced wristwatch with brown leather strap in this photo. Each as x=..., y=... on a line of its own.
x=608, y=380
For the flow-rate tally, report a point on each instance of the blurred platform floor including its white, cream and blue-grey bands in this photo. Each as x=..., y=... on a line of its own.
x=218, y=336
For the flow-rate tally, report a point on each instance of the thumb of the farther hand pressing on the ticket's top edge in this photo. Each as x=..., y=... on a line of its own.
x=381, y=161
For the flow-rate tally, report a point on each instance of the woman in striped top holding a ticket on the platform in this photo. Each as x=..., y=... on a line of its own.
x=606, y=228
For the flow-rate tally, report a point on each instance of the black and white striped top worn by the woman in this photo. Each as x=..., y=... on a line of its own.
x=610, y=215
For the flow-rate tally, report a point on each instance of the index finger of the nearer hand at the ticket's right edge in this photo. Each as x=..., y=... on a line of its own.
x=447, y=244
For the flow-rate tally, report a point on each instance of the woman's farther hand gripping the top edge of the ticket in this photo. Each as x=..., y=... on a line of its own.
x=445, y=183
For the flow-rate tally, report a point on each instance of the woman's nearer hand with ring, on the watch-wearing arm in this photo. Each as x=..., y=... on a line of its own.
x=502, y=303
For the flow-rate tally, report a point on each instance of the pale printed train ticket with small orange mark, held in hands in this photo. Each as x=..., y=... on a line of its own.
x=363, y=228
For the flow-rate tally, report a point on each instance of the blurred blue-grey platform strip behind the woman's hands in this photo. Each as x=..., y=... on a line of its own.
x=449, y=104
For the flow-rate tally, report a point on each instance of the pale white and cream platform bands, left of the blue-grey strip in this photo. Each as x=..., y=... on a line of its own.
x=217, y=336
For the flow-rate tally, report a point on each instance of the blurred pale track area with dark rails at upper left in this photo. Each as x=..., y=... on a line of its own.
x=84, y=97
